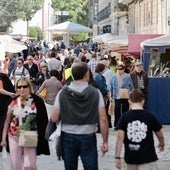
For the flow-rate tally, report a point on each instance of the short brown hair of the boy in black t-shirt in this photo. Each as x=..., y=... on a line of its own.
x=136, y=96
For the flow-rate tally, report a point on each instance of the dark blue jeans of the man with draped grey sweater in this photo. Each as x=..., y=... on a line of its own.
x=84, y=146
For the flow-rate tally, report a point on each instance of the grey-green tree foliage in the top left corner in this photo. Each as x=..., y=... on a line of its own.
x=11, y=10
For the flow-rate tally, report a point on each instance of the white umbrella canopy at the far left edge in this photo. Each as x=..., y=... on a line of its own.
x=8, y=44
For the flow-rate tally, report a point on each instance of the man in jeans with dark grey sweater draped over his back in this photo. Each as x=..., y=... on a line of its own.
x=80, y=107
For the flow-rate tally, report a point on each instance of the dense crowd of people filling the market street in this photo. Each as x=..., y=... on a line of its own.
x=81, y=83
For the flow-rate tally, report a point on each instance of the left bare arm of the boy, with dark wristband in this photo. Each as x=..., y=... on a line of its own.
x=118, y=147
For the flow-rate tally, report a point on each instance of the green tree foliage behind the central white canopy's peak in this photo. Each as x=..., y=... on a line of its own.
x=78, y=10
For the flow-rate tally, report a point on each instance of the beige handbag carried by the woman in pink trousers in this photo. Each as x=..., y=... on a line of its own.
x=28, y=138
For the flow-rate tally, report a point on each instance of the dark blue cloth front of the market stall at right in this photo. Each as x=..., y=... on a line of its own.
x=159, y=98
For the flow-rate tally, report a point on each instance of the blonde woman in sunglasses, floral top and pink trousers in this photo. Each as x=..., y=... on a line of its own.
x=22, y=108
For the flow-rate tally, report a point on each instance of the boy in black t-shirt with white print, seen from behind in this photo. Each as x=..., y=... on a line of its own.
x=135, y=130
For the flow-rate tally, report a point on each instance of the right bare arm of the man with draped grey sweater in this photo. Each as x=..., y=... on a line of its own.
x=104, y=128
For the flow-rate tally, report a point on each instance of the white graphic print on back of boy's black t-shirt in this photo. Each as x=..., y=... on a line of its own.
x=136, y=132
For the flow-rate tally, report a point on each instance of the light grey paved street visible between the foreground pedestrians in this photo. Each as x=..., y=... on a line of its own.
x=107, y=162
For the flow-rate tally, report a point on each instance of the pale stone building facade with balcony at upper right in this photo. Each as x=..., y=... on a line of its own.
x=121, y=17
